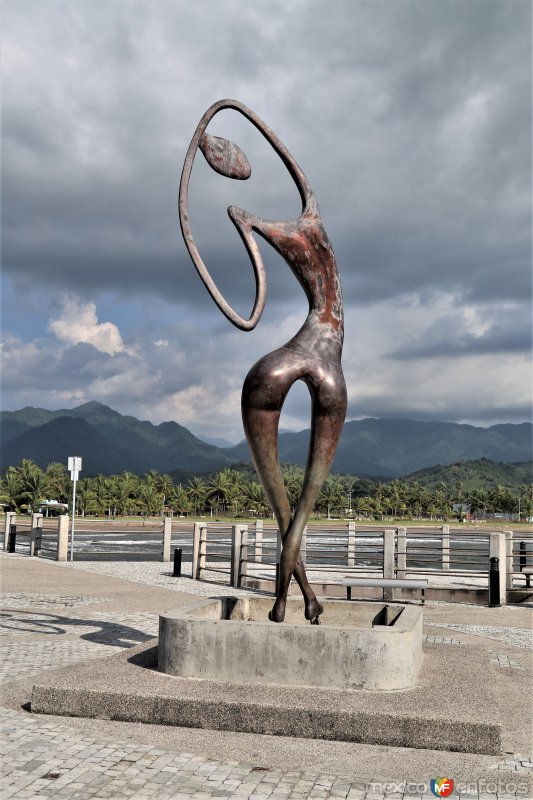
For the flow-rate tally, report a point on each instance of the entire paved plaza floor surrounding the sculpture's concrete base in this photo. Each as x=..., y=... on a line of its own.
x=88, y=610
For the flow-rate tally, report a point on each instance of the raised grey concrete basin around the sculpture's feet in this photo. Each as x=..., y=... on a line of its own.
x=356, y=646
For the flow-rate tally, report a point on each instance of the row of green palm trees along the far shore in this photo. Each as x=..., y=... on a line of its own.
x=234, y=493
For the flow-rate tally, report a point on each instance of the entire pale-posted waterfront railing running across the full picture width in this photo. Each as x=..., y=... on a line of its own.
x=234, y=553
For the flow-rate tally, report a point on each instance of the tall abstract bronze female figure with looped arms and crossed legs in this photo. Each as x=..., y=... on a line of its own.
x=313, y=355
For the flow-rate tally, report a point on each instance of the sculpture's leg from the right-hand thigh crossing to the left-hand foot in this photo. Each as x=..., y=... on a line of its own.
x=328, y=419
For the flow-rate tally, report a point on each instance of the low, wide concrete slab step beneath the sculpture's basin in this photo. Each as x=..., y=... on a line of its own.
x=129, y=688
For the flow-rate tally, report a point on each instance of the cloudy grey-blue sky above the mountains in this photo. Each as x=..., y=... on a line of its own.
x=412, y=120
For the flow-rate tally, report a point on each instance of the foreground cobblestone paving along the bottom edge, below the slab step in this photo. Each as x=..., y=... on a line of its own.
x=49, y=759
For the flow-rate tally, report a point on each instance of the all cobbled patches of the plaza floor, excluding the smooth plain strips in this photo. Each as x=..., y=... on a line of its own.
x=42, y=757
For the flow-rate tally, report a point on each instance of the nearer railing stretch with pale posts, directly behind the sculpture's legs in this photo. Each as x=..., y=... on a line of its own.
x=253, y=552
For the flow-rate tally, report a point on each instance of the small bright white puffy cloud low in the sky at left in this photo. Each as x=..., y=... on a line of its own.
x=78, y=322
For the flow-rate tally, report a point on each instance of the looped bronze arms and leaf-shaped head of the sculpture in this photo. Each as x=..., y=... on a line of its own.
x=241, y=220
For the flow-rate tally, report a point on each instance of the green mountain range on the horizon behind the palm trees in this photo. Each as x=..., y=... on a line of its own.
x=110, y=443
